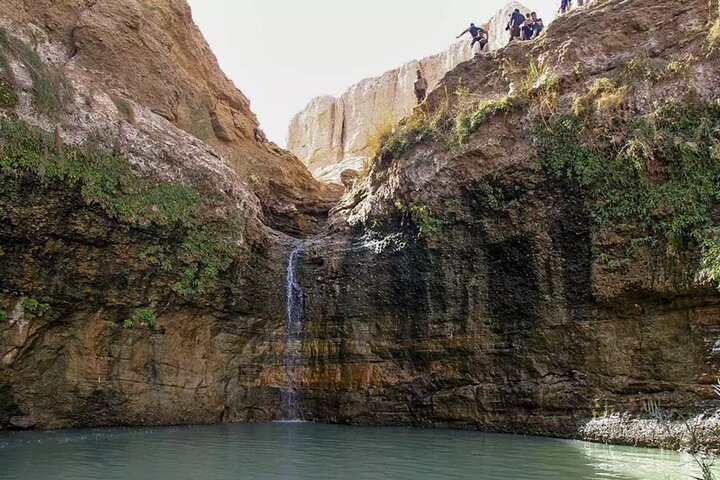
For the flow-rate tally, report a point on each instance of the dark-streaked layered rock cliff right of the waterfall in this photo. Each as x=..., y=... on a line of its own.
x=469, y=284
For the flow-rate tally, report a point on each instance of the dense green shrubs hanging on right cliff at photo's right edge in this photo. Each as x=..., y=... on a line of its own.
x=675, y=207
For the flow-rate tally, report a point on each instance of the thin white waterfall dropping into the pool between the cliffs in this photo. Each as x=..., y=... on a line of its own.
x=295, y=310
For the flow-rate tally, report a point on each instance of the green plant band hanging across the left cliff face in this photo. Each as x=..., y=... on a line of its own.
x=107, y=180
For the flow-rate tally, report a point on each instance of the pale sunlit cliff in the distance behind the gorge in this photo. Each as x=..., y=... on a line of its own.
x=330, y=134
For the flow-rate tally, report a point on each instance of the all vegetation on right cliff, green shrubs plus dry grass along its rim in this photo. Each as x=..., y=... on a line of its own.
x=656, y=173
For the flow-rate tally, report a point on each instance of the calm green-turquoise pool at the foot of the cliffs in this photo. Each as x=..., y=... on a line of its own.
x=302, y=451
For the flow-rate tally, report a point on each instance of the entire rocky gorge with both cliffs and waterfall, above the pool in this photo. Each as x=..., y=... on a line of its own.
x=534, y=251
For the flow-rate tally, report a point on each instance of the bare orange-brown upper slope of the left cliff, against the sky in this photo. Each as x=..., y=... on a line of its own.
x=150, y=53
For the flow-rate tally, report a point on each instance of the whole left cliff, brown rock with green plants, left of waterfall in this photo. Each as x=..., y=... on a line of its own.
x=145, y=201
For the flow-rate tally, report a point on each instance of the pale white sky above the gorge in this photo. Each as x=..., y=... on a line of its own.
x=282, y=53
